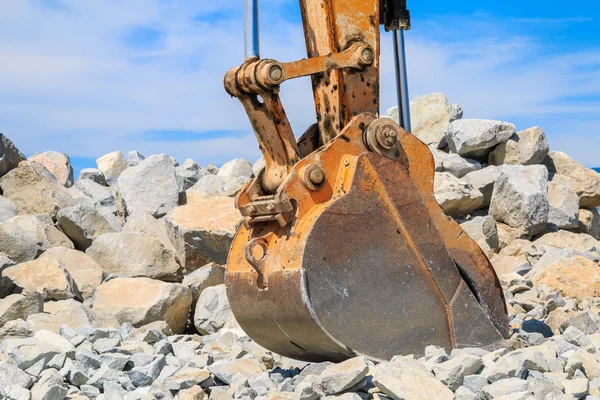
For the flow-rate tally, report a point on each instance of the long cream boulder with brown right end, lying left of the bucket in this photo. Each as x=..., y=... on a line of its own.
x=139, y=301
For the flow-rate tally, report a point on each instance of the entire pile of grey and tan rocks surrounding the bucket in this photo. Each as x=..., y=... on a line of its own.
x=112, y=285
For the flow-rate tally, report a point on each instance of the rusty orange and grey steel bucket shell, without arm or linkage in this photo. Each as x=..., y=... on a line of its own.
x=361, y=260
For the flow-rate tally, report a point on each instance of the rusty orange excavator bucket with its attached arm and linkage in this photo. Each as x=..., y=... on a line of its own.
x=344, y=250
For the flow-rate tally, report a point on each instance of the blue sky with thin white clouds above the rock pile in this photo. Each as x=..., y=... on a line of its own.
x=90, y=77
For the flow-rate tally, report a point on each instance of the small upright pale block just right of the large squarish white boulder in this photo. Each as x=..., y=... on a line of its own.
x=564, y=207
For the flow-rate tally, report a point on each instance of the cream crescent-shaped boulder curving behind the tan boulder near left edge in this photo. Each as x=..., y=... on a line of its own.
x=86, y=273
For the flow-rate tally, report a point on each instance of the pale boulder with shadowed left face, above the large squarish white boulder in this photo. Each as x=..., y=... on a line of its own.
x=528, y=147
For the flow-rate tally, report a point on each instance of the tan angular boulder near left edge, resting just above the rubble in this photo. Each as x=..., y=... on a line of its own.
x=46, y=276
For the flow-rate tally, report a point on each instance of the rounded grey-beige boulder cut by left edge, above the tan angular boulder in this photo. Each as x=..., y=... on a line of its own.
x=25, y=237
